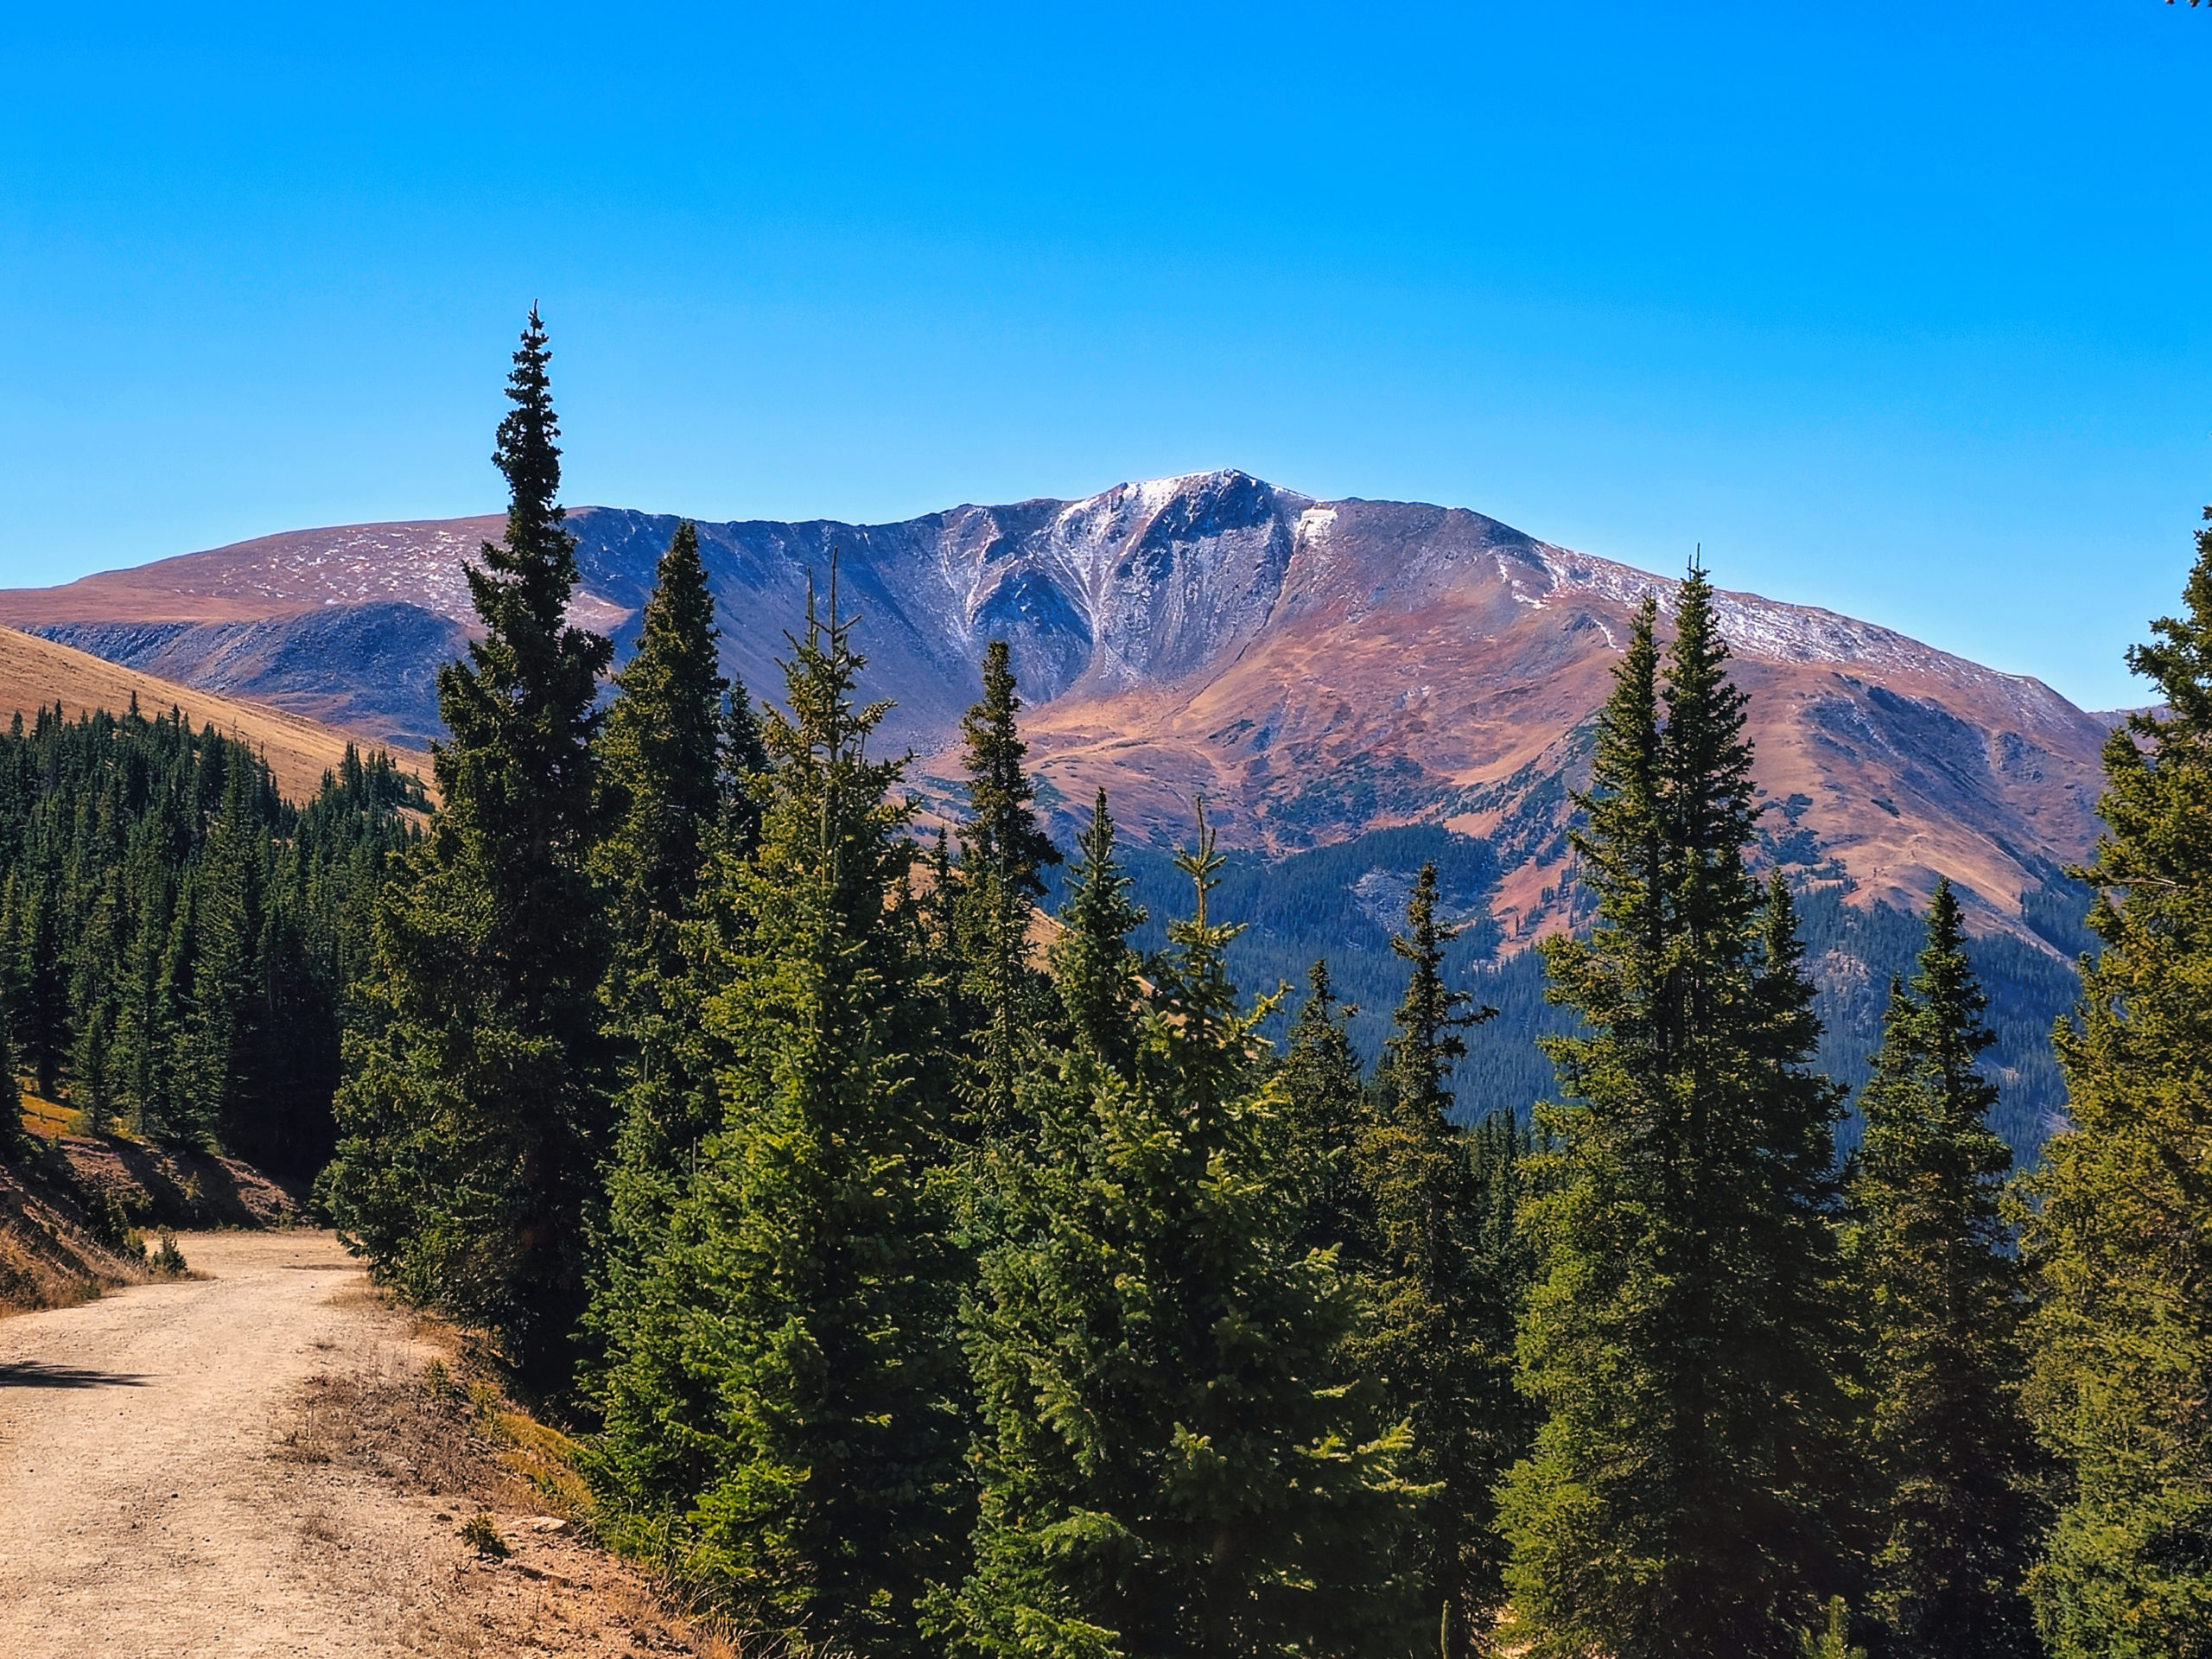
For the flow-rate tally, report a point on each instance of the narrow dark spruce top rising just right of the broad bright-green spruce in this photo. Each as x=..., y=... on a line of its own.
x=1003, y=855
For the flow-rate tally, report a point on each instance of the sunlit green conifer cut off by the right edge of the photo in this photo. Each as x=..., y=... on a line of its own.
x=2122, y=1231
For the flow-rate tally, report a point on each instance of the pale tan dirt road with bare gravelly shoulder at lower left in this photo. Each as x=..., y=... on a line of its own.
x=209, y=1468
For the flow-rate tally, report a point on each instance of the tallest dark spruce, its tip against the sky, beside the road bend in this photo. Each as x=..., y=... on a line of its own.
x=474, y=1118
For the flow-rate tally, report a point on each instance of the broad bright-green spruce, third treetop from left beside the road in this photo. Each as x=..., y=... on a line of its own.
x=784, y=1423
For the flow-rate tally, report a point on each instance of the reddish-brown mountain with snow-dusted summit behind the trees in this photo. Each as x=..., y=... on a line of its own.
x=1353, y=687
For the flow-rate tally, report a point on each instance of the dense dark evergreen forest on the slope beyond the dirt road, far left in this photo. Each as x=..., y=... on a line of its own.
x=178, y=941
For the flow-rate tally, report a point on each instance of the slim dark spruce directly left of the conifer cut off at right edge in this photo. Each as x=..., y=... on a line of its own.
x=1943, y=1293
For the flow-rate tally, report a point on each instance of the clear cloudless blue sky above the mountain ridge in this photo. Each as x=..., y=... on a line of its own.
x=1897, y=309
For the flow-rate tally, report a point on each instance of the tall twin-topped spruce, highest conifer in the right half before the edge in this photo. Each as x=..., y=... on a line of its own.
x=1684, y=1319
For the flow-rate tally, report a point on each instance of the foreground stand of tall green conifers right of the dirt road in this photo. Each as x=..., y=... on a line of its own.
x=930, y=1280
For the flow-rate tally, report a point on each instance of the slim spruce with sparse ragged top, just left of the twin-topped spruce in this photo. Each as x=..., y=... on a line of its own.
x=1443, y=1331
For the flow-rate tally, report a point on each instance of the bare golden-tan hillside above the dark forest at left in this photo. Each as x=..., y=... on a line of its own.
x=39, y=674
